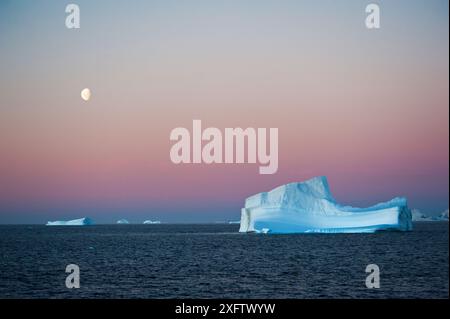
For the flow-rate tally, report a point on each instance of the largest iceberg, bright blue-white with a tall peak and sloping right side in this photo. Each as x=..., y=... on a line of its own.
x=309, y=207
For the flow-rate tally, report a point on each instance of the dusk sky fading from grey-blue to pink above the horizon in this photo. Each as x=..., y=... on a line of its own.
x=369, y=109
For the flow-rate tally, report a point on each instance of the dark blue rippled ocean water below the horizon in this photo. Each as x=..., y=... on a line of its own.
x=215, y=261
